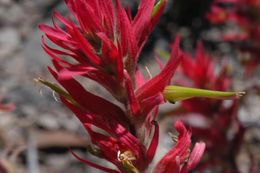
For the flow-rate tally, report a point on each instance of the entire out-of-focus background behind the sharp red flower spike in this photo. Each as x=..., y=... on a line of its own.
x=36, y=130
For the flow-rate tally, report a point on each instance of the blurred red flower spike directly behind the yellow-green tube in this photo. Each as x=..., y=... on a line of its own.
x=221, y=118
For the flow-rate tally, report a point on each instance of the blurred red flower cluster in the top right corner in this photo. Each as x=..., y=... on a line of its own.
x=245, y=15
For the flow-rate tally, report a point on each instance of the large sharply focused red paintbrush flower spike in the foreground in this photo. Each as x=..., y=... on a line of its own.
x=104, y=45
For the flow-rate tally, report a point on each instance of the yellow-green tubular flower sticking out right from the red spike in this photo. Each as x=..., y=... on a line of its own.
x=178, y=93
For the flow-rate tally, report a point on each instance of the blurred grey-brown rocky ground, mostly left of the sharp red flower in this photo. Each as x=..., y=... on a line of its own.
x=35, y=136
